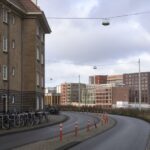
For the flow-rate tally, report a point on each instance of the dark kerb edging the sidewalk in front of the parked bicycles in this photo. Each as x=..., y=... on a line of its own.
x=35, y=127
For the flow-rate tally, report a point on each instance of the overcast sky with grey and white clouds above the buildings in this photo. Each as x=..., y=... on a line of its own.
x=75, y=46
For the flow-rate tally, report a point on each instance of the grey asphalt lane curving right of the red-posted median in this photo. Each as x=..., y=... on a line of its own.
x=128, y=134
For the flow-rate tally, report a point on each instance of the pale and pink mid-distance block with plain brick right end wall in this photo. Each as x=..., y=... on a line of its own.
x=104, y=95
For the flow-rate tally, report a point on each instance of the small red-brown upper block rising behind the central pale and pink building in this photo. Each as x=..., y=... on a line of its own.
x=98, y=79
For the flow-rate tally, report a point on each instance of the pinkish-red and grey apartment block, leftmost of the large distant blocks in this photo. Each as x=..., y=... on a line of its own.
x=70, y=93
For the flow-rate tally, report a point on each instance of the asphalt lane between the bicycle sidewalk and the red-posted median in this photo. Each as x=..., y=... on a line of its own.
x=18, y=139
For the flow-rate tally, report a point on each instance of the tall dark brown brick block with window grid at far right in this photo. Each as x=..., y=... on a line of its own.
x=132, y=81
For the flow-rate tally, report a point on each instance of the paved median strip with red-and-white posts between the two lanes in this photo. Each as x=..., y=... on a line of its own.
x=69, y=139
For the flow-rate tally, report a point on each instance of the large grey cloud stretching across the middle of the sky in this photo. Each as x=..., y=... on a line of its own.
x=96, y=45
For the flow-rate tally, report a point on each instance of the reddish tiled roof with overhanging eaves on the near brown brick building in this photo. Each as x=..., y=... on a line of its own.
x=29, y=8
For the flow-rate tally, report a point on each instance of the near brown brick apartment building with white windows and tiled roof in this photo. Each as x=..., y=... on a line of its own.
x=22, y=49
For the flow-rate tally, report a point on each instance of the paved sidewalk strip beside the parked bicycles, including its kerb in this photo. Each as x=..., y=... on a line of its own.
x=53, y=119
